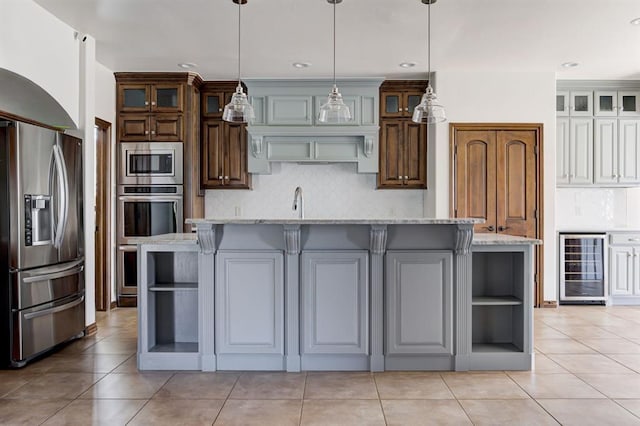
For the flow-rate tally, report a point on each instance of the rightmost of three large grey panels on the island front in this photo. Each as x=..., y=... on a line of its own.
x=418, y=290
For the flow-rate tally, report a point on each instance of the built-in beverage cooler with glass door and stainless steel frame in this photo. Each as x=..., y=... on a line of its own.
x=583, y=274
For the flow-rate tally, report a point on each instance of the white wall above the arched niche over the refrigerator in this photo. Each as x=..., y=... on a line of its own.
x=43, y=49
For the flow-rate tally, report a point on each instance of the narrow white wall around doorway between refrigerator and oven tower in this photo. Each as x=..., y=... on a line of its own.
x=105, y=91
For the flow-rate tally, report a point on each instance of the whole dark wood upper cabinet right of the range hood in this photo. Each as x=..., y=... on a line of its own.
x=403, y=143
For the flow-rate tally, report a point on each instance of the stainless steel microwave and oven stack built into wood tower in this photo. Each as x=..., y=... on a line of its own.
x=150, y=202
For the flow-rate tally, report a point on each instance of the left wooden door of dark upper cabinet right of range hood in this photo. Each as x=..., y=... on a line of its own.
x=391, y=173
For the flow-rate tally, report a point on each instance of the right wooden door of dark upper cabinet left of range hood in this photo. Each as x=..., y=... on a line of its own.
x=235, y=156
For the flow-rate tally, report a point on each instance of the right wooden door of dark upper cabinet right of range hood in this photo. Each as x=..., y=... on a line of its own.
x=415, y=154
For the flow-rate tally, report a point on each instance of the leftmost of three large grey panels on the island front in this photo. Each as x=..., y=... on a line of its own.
x=249, y=310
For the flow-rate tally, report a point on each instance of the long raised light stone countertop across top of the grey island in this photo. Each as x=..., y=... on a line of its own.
x=338, y=221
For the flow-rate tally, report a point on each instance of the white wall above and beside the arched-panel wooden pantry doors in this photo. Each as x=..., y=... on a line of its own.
x=497, y=97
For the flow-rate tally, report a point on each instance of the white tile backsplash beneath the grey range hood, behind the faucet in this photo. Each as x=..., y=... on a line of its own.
x=330, y=191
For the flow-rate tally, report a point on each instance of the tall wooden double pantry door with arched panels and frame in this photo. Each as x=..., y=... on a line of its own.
x=497, y=176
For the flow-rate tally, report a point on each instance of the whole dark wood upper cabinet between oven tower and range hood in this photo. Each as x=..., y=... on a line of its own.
x=223, y=144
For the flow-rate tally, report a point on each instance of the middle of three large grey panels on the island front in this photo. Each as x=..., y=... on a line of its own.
x=335, y=310
